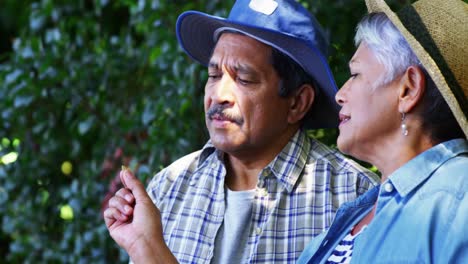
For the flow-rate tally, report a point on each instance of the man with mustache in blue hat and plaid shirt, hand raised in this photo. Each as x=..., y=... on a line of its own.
x=260, y=188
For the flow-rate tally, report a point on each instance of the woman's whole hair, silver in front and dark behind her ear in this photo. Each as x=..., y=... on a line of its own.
x=393, y=51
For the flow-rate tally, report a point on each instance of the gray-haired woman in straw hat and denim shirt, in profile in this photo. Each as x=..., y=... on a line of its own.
x=404, y=109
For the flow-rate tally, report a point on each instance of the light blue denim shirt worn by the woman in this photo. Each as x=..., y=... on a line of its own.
x=421, y=214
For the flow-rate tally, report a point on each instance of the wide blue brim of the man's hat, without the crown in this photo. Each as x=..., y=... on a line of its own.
x=196, y=35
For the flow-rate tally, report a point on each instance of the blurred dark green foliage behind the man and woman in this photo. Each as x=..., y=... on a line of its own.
x=88, y=85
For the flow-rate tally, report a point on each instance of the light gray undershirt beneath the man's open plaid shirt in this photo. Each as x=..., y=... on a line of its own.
x=231, y=240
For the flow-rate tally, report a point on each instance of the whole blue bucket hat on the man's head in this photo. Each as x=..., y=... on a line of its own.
x=284, y=25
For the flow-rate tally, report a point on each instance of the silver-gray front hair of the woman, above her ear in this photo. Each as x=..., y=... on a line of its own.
x=387, y=45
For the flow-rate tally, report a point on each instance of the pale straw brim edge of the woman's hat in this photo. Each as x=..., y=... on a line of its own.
x=426, y=60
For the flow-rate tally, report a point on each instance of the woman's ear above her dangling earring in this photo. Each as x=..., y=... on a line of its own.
x=412, y=89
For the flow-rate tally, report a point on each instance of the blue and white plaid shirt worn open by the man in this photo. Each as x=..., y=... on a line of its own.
x=296, y=198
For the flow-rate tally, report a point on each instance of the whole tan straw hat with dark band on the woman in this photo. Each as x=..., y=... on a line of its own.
x=437, y=31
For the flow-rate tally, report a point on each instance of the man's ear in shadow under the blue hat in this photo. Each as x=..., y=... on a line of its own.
x=300, y=103
